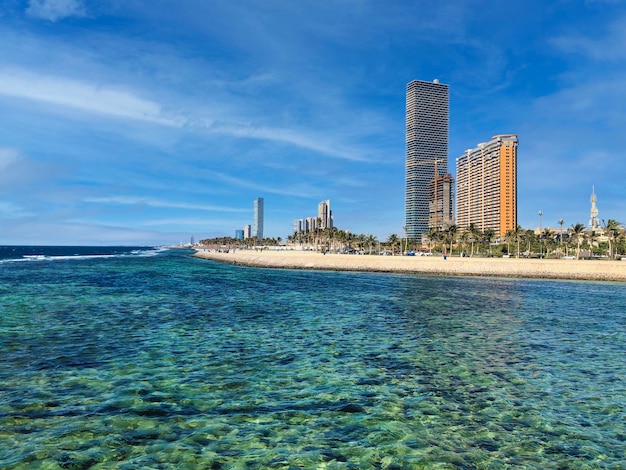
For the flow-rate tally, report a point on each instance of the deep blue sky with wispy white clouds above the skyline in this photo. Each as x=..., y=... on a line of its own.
x=147, y=122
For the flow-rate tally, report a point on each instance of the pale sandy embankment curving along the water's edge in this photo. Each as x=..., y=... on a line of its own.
x=596, y=270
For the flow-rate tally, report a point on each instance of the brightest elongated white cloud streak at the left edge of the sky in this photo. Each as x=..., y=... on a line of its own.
x=85, y=96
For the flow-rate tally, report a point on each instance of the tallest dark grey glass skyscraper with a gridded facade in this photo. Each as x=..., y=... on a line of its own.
x=427, y=116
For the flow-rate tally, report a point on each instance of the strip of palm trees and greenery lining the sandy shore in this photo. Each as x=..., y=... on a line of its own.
x=607, y=242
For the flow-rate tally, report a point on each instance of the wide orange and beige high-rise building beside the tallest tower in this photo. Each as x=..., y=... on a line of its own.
x=486, y=186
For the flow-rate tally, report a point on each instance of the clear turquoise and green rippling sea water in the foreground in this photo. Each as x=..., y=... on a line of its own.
x=166, y=361
